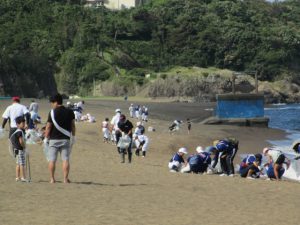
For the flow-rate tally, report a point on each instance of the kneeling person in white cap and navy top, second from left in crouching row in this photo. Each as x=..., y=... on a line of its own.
x=197, y=163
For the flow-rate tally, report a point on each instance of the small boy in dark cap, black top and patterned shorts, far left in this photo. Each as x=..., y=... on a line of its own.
x=18, y=143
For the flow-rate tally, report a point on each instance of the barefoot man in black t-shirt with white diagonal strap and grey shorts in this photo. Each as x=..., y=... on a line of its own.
x=59, y=135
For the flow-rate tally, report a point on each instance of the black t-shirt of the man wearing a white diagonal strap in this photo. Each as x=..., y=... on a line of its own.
x=63, y=117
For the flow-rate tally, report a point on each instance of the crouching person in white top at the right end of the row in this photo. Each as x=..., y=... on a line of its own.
x=275, y=163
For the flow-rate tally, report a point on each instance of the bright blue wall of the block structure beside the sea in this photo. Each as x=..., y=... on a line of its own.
x=240, y=106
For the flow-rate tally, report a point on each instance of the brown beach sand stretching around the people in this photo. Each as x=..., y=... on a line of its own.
x=104, y=191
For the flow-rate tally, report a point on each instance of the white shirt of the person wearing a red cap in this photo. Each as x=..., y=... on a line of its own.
x=13, y=111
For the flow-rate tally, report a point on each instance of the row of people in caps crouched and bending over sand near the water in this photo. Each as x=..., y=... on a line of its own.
x=218, y=159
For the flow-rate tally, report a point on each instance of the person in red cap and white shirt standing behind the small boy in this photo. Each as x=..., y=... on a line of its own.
x=12, y=112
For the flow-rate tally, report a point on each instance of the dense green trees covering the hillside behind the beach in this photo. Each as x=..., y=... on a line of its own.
x=45, y=39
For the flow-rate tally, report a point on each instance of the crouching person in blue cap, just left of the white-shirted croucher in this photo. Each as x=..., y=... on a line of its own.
x=250, y=166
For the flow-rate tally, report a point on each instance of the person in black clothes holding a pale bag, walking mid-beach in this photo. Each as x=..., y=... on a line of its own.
x=125, y=126
